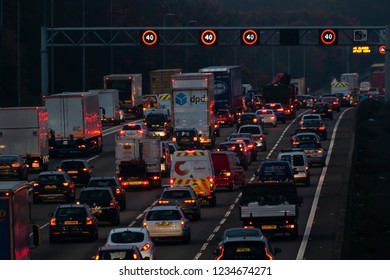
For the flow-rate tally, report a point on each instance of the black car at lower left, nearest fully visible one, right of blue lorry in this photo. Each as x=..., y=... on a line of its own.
x=73, y=221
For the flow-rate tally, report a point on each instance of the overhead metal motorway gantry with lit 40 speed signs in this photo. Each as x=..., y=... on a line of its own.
x=206, y=36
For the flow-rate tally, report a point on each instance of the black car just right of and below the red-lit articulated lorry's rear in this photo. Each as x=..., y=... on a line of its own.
x=78, y=169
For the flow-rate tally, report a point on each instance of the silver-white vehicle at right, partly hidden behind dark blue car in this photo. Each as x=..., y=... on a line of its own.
x=299, y=163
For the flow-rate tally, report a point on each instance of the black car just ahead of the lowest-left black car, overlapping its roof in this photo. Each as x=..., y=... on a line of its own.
x=102, y=204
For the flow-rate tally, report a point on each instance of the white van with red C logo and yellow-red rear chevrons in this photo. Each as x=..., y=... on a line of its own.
x=194, y=168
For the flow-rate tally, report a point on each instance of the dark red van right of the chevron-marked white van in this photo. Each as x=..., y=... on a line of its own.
x=228, y=170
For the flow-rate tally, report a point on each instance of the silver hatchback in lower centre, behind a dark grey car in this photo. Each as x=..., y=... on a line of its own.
x=167, y=222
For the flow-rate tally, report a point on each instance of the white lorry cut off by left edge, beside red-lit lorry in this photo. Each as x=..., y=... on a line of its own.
x=24, y=131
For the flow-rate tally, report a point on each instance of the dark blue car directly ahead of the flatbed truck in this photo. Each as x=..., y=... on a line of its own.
x=275, y=171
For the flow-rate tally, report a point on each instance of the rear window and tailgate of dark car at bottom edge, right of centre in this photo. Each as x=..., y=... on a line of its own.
x=245, y=250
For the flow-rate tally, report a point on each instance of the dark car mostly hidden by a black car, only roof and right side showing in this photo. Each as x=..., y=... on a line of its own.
x=114, y=184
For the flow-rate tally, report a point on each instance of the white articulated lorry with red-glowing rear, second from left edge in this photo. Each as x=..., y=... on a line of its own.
x=74, y=123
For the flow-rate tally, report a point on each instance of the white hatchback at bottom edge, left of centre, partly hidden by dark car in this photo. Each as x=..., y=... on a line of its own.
x=133, y=236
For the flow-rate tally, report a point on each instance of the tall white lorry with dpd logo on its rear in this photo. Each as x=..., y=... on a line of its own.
x=193, y=105
